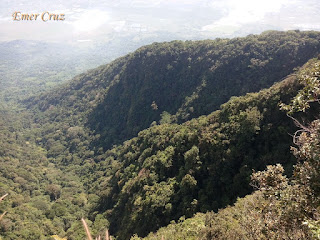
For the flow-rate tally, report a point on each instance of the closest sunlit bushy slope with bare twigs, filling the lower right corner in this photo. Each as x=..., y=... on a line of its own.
x=282, y=207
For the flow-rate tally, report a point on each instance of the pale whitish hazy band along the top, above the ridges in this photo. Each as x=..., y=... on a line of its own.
x=93, y=20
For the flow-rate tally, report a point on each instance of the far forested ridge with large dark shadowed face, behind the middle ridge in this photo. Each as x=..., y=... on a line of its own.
x=184, y=79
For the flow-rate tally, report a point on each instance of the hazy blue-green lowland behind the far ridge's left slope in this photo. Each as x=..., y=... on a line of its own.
x=29, y=67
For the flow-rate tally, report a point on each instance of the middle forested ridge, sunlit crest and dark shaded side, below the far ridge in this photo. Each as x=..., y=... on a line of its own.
x=172, y=170
